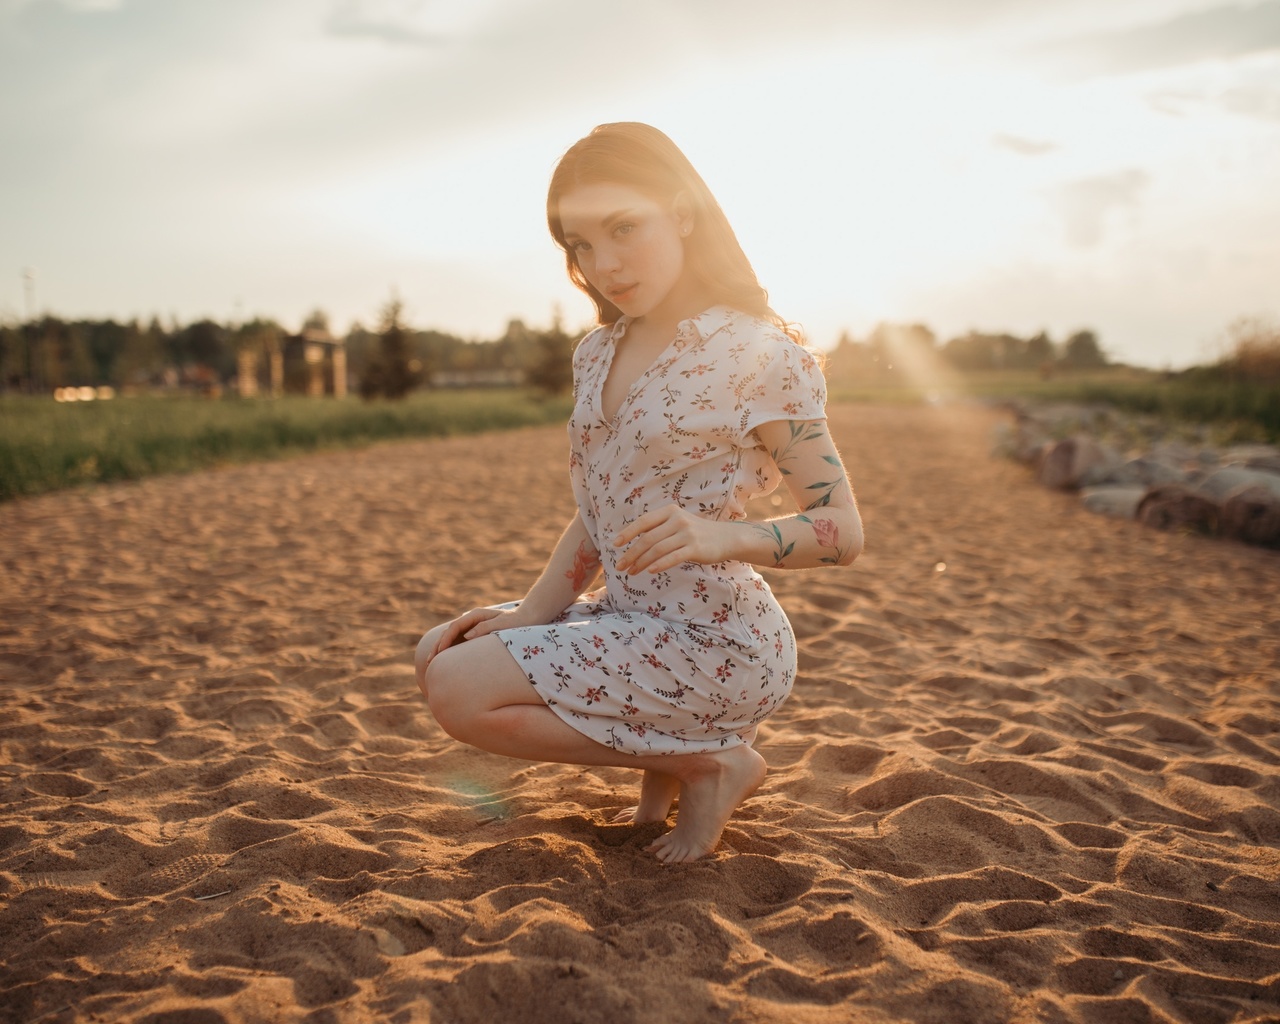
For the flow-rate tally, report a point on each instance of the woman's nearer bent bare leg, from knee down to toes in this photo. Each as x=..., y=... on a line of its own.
x=481, y=697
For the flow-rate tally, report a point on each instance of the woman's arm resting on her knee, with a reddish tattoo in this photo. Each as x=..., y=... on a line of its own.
x=572, y=568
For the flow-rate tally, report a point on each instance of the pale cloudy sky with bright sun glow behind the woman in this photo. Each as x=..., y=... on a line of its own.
x=1002, y=166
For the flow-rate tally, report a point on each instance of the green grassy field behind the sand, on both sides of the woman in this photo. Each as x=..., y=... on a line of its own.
x=45, y=446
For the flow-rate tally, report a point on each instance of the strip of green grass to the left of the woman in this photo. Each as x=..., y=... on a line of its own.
x=45, y=446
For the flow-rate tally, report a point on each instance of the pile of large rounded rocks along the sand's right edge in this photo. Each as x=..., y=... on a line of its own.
x=1133, y=469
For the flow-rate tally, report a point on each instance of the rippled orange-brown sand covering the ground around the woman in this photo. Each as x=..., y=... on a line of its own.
x=1030, y=772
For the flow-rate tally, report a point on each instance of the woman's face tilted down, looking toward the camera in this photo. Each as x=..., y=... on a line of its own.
x=629, y=246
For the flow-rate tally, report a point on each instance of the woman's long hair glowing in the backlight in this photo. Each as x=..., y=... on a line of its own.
x=642, y=158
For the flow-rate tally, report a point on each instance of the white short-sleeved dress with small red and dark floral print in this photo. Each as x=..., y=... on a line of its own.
x=689, y=660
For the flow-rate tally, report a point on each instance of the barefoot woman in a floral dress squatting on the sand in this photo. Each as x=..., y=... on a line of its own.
x=691, y=399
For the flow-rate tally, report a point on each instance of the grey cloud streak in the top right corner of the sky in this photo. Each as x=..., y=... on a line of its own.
x=1219, y=34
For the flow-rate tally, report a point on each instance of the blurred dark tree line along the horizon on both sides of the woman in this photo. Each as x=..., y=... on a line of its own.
x=394, y=359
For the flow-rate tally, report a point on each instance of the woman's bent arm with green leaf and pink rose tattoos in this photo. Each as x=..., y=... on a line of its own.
x=829, y=532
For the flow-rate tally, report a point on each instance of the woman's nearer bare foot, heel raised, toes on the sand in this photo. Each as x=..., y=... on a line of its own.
x=708, y=799
